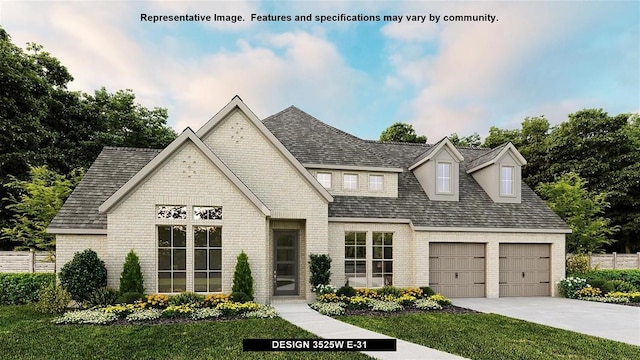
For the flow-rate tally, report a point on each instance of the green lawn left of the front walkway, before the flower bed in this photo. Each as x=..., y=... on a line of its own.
x=27, y=334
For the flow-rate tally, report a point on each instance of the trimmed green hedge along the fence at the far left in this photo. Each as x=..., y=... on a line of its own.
x=22, y=288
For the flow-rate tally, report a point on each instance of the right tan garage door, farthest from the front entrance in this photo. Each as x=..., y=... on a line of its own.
x=525, y=269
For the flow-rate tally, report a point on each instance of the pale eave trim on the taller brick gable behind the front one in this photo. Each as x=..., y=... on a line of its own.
x=236, y=102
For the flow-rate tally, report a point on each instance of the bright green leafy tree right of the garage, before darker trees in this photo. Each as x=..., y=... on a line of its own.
x=569, y=198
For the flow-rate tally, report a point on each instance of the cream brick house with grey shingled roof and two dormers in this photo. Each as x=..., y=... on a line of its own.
x=459, y=220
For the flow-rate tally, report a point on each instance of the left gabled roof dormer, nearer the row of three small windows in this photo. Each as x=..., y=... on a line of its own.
x=437, y=171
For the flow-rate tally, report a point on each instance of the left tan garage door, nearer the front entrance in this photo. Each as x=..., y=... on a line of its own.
x=457, y=269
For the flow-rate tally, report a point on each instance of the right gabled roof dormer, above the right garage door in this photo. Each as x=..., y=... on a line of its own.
x=499, y=173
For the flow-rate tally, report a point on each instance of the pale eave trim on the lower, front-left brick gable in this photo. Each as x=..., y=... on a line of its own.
x=186, y=135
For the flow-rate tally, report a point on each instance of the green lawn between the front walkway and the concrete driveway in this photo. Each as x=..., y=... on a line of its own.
x=491, y=336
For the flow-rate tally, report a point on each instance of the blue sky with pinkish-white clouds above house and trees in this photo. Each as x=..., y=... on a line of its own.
x=512, y=60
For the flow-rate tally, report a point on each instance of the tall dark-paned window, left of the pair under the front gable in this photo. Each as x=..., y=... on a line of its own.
x=172, y=259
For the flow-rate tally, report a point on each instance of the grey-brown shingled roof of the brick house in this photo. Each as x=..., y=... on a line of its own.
x=313, y=142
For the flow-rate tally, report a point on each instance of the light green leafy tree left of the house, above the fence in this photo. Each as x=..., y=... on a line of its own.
x=39, y=200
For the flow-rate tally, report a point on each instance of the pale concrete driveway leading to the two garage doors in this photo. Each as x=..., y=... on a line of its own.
x=610, y=321
